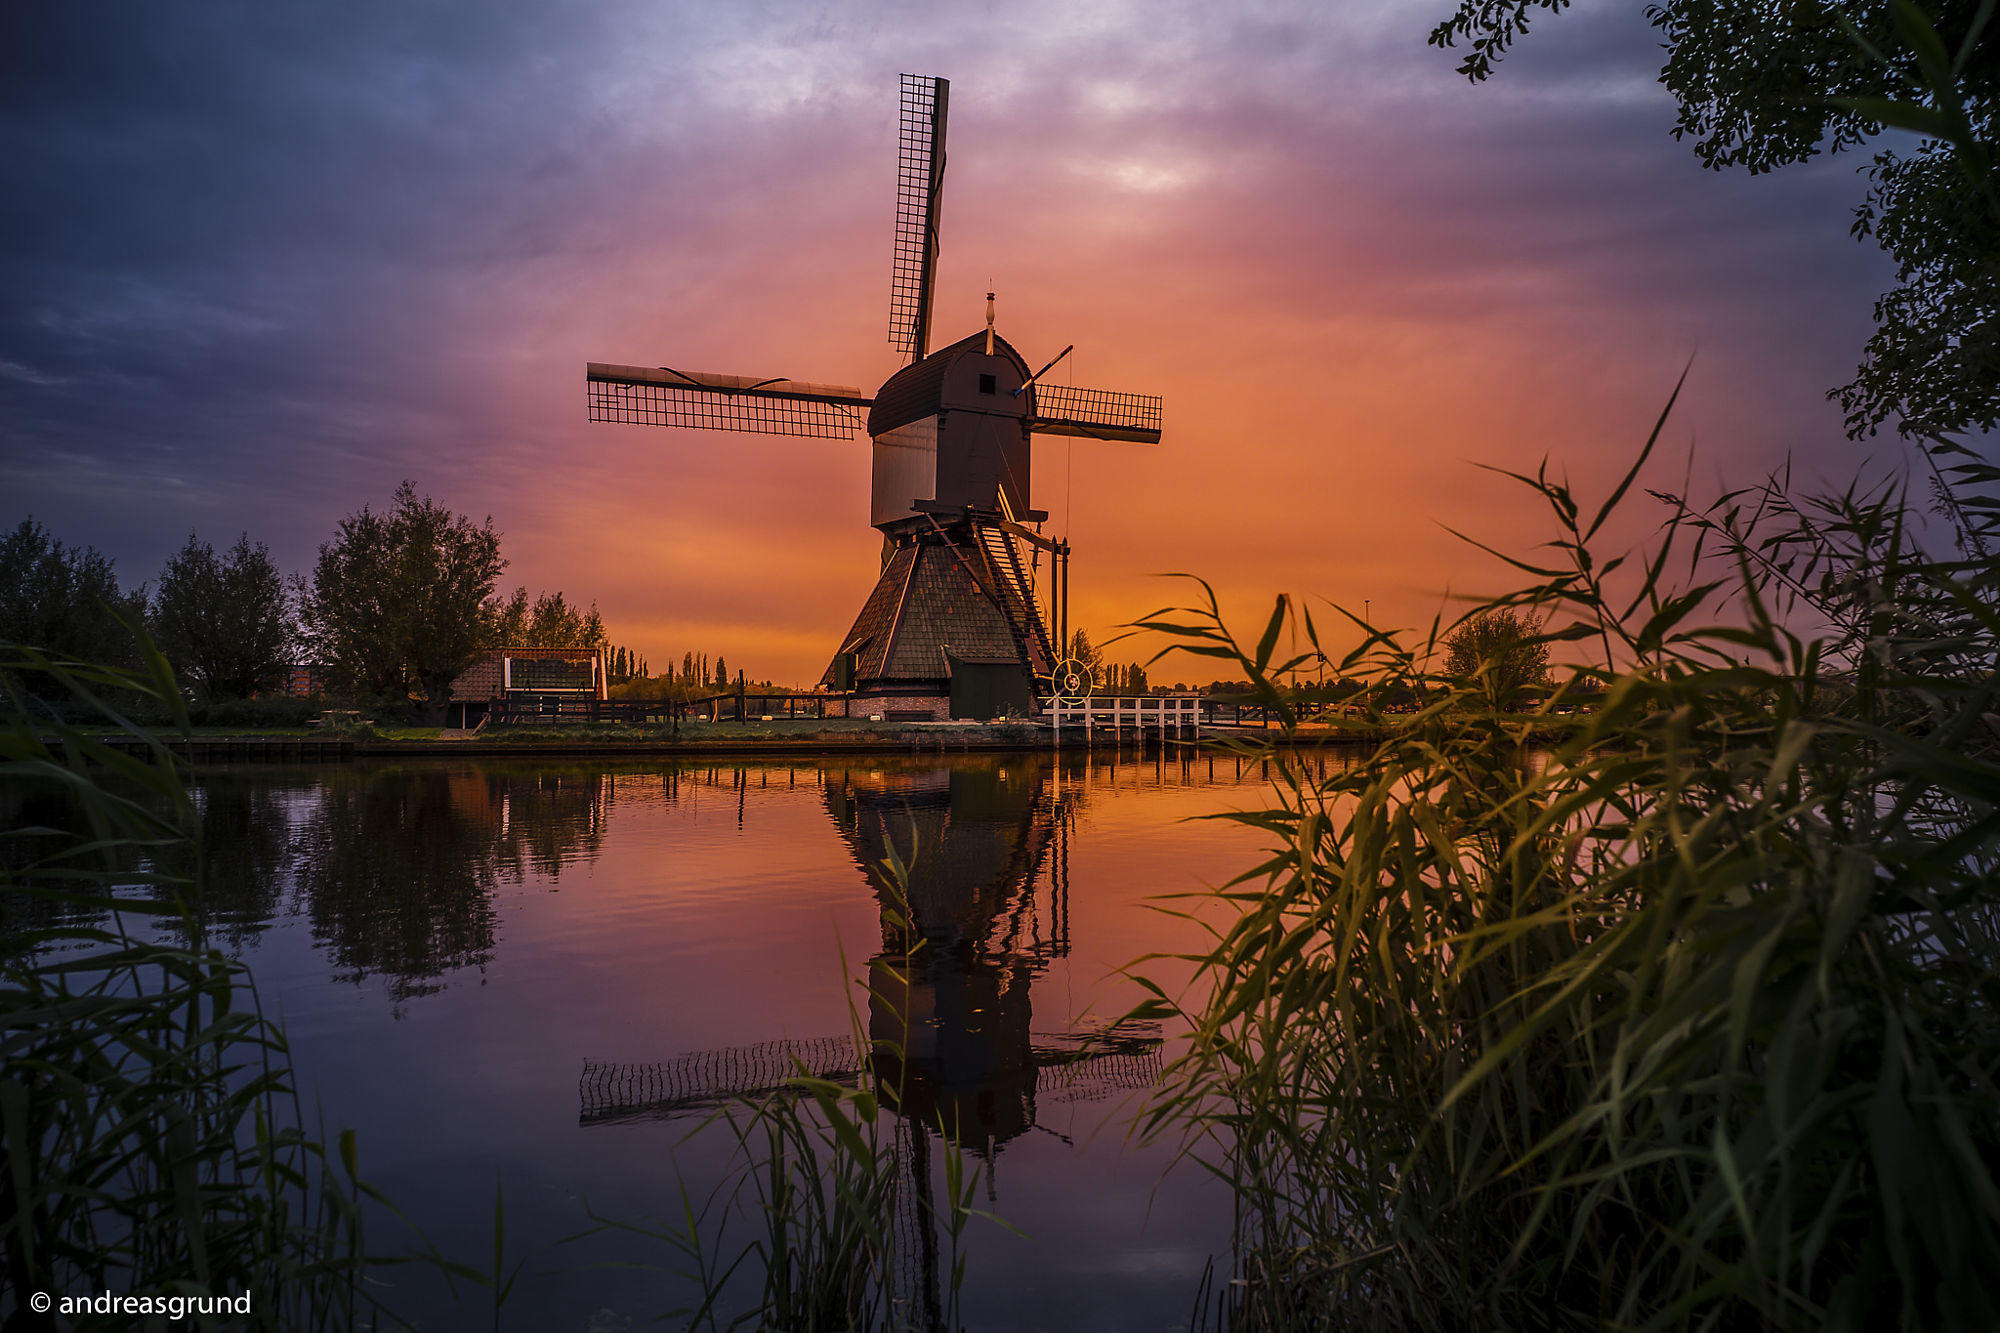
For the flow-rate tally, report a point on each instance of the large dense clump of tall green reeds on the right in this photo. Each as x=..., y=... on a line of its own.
x=1677, y=1012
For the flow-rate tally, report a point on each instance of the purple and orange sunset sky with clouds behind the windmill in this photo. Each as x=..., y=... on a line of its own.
x=263, y=263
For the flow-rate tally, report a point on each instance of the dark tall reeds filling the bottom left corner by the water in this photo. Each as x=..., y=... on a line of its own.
x=151, y=1138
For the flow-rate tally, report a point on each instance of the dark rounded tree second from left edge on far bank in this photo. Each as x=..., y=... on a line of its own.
x=223, y=621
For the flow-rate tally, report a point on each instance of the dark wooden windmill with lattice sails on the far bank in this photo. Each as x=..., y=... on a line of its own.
x=955, y=623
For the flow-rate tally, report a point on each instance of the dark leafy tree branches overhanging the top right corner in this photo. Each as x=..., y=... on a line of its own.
x=1771, y=85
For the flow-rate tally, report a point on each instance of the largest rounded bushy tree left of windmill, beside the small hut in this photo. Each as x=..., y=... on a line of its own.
x=399, y=601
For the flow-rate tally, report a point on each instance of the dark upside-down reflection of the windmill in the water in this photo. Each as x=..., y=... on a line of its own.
x=971, y=874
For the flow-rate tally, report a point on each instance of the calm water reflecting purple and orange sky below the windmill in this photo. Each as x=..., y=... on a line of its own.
x=543, y=978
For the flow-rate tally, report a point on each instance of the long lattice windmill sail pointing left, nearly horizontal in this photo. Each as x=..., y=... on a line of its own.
x=699, y=401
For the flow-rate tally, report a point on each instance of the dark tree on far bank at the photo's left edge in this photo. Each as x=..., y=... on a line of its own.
x=65, y=599
